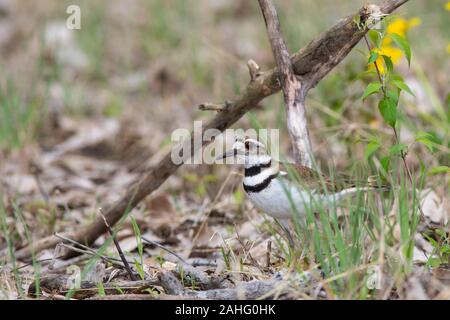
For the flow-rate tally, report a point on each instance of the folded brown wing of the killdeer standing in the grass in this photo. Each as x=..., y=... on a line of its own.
x=314, y=180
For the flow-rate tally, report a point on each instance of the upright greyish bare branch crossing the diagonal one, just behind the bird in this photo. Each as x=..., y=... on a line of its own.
x=294, y=95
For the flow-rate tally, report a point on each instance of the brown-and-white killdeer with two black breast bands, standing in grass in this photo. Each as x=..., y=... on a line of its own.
x=272, y=190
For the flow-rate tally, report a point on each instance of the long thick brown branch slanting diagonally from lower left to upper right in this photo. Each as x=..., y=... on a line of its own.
x=312, y=62
